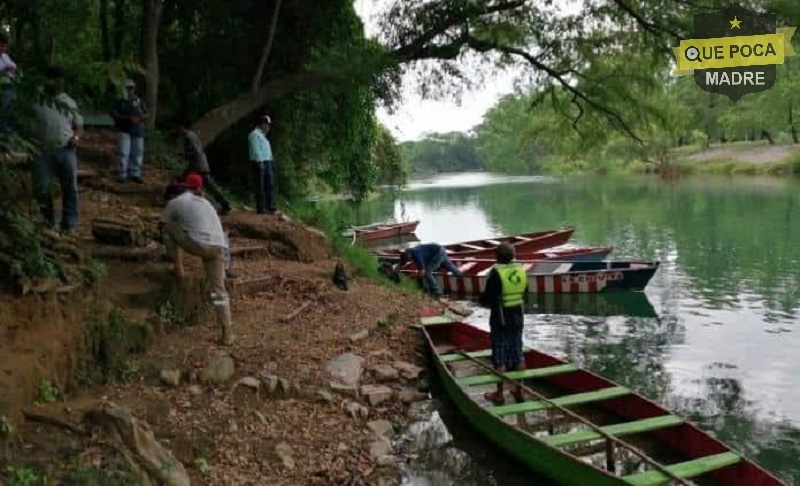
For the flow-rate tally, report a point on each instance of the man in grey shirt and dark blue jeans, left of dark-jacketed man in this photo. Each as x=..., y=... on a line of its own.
x=58, y=128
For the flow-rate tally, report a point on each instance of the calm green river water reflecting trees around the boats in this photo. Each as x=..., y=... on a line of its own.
x=715, y=337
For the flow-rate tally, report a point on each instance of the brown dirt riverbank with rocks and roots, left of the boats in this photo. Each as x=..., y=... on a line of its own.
x=317, y=383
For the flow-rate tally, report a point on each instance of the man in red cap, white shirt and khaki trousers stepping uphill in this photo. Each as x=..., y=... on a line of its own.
x=191, y=223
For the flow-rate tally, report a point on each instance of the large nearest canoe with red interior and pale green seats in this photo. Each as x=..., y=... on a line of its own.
x=576, y=428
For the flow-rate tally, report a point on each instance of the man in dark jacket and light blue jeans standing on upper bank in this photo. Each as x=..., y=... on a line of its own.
x=129, y=114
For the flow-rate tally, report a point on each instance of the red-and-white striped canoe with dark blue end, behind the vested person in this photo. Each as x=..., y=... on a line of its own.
x=552, y=276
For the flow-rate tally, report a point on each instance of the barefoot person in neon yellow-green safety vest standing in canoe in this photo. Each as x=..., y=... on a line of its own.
x=506, y=289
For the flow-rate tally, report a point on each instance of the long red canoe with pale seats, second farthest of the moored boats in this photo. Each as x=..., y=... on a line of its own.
x=485, y=248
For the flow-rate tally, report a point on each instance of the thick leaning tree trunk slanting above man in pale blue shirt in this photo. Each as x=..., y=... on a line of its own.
x=216, y=121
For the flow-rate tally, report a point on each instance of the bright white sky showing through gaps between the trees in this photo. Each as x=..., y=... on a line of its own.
x=414, y=116
